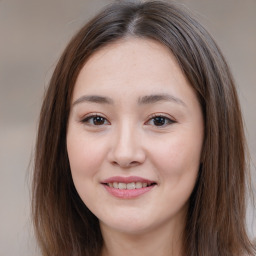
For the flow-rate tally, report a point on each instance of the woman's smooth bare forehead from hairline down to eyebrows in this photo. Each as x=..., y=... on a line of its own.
x=132, y=65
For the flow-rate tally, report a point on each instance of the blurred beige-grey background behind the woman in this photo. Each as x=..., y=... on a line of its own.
x=33, y=34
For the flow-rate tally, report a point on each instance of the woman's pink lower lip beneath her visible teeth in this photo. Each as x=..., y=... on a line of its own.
x=127, y=193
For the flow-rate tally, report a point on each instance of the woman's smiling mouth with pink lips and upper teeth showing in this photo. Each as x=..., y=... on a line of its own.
x=128, y=187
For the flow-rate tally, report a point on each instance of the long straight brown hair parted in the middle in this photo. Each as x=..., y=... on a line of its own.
x=215, y=223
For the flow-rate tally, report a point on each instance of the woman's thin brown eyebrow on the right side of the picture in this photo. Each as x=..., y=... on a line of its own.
x=155, y=98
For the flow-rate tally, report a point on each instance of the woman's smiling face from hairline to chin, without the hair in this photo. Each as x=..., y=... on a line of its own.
x=134, y=137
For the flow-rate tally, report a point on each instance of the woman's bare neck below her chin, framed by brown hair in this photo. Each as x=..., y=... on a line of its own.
x=166, y=241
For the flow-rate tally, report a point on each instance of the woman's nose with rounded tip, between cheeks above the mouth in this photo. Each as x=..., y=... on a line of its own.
x=127, y=148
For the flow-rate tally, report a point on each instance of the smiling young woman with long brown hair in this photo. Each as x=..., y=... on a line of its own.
x=140, y=145
